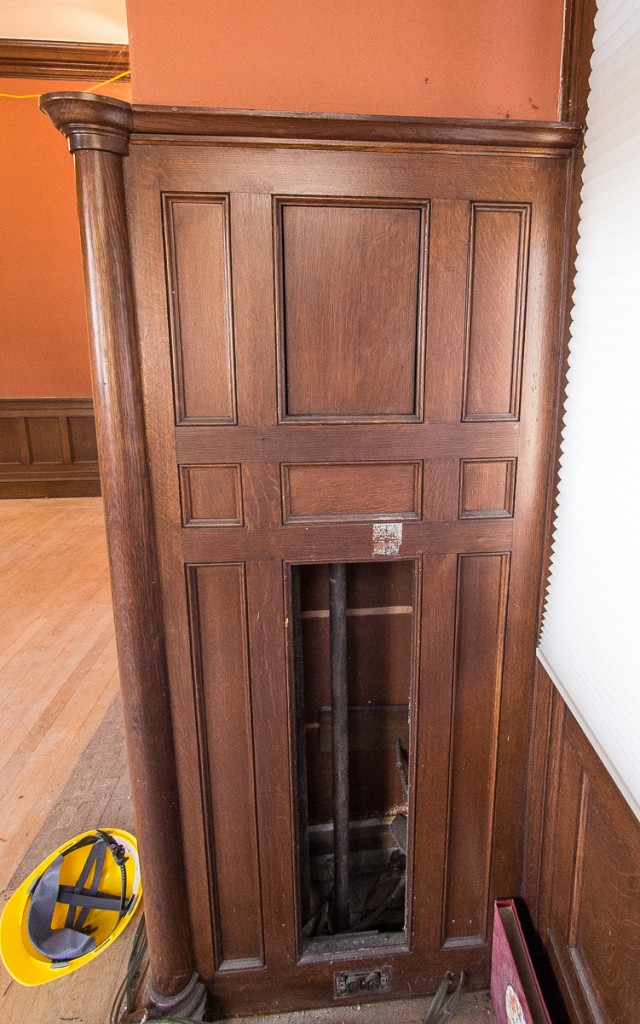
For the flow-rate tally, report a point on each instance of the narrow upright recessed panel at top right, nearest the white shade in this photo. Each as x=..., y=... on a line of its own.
x=498, y=270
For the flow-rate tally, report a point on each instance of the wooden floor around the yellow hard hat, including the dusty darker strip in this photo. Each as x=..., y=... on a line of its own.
x=62, y=753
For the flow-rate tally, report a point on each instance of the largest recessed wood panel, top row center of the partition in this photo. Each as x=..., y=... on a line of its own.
x=352, y=317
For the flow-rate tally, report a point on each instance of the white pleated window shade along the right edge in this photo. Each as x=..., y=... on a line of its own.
x=591, y=635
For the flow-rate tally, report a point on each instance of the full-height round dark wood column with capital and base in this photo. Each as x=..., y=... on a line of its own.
x=98, y=131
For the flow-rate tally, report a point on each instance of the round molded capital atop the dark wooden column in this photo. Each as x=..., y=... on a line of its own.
x=90, y=121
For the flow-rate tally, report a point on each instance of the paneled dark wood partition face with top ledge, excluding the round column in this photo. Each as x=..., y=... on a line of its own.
x=348, y=332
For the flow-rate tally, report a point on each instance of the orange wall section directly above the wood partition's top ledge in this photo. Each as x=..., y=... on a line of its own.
x=473, y=59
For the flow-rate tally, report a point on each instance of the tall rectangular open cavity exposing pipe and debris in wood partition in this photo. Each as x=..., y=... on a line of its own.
x=353, y=656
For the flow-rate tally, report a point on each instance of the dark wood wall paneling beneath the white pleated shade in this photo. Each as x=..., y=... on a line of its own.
x=583, y=869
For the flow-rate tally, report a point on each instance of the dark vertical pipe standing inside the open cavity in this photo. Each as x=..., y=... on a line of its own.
x=340, y=738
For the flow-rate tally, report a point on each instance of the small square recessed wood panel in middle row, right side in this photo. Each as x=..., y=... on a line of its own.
x=487, y=489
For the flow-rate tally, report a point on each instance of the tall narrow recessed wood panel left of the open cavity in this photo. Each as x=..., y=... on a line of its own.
x=219, y=604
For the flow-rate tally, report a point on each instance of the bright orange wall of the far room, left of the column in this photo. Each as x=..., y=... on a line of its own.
x=44, y=336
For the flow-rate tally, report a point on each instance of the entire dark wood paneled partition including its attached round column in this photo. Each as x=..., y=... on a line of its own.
x=160, y=452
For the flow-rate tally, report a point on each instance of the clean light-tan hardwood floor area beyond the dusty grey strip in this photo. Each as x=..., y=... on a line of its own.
x=58, y=658
